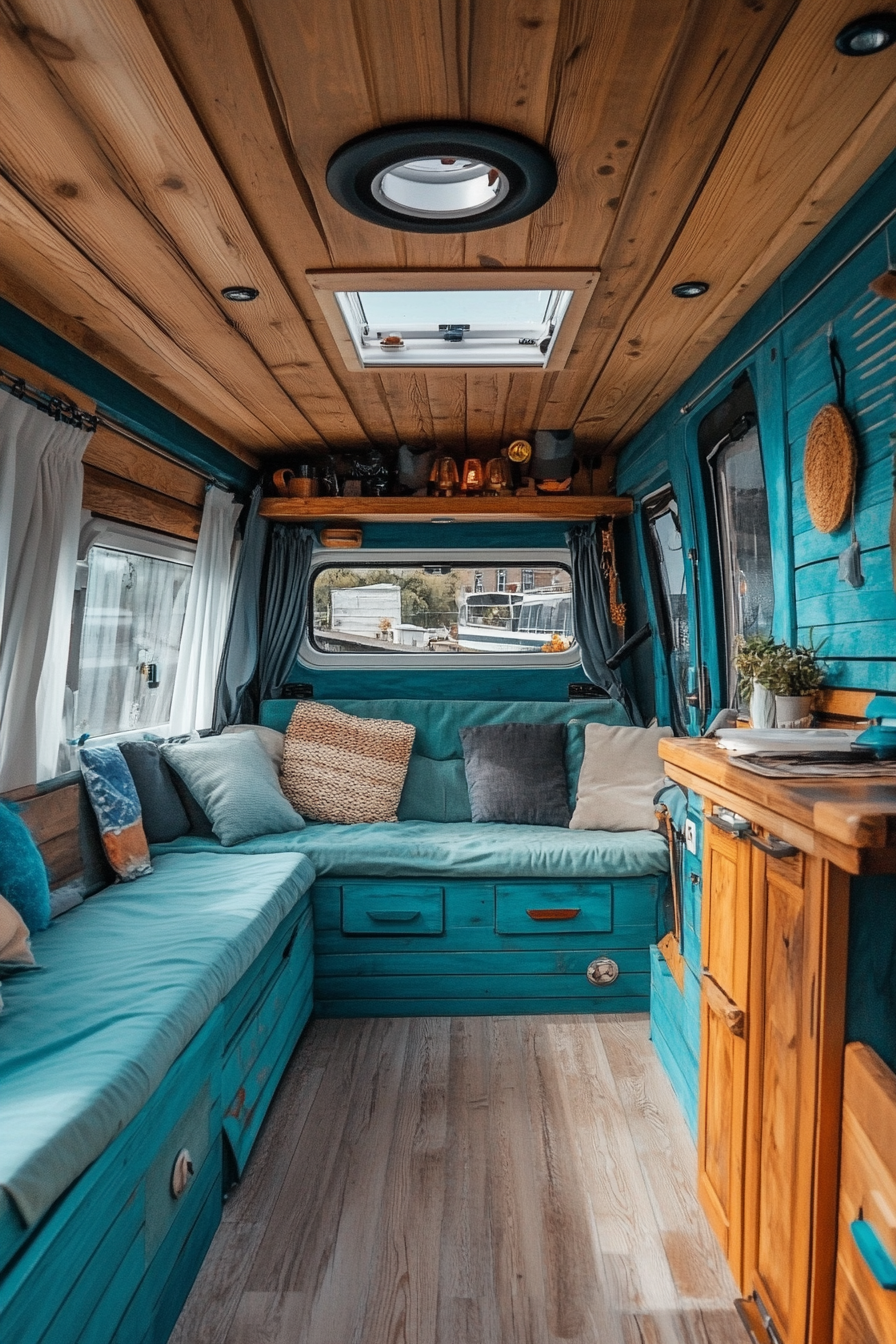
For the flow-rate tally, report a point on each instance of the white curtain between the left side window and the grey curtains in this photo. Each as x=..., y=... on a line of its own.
x=206, y=622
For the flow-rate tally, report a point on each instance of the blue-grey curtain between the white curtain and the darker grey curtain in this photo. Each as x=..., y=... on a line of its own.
x=240, y=659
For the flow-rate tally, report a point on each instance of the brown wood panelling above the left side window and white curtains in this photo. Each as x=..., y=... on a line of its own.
x=123, y=480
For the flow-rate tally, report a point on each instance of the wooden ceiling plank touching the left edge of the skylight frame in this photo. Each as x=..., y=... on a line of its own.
x=216, y=56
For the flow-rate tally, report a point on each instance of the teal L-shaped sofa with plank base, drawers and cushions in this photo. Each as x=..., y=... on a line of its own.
x=138, y=1066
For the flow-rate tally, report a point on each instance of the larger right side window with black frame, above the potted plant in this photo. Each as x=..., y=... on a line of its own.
x=737, y=487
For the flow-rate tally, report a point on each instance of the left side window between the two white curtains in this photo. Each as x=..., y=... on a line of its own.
x=127, y=627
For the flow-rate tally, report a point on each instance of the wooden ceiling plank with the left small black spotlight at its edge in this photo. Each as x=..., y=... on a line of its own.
x=122, y=87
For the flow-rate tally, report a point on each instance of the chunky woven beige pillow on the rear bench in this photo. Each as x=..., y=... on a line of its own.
x=341, y=768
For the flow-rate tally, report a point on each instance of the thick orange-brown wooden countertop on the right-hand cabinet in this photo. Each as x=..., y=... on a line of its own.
x=850, y=822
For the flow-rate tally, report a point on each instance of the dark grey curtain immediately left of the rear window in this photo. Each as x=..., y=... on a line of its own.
x=289, y=564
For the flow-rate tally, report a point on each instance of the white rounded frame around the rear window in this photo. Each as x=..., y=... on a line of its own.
x=465, y=558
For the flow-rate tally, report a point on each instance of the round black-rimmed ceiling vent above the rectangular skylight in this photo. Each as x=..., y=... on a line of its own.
x=441, y=177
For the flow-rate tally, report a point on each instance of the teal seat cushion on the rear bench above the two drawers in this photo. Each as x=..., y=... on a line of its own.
x=491, y=851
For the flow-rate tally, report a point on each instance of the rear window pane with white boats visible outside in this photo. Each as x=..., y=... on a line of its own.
x=453, y=610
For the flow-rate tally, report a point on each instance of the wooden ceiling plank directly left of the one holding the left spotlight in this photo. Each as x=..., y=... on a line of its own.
x=50, y=155
